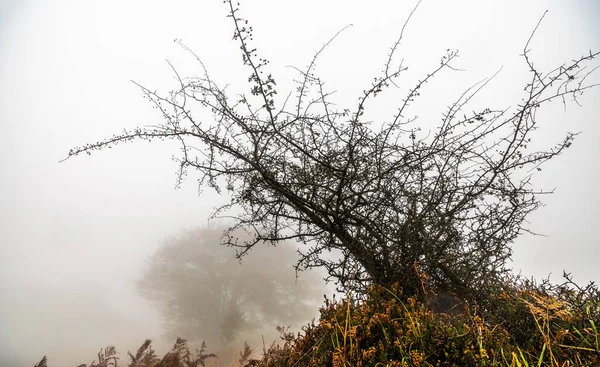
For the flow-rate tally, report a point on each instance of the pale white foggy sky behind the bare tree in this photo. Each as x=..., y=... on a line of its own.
x=73, y=235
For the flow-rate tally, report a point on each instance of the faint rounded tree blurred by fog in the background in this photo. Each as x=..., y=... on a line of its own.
x=203, y=293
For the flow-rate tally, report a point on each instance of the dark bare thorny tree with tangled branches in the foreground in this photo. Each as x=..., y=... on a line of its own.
x=392, y=202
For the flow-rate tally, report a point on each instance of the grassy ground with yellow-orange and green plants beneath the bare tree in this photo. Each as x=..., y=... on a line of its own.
x=520, y=324
